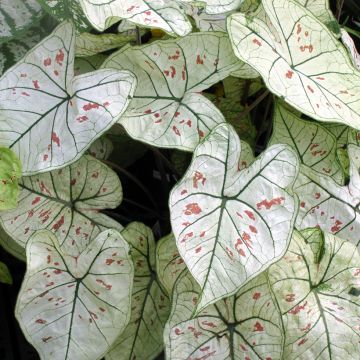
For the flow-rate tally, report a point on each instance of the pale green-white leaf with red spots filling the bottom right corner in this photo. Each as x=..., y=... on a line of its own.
x=319, y=302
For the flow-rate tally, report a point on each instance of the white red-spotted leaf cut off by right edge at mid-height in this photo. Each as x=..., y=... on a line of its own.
x=321, y=198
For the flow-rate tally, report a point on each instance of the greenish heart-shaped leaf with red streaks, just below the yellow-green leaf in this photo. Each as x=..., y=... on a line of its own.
x=67, y=202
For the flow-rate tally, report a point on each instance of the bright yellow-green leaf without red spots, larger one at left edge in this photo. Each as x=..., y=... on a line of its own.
x=10, y=173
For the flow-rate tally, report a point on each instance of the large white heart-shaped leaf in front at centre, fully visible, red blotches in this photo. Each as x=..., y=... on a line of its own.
x=230, y=225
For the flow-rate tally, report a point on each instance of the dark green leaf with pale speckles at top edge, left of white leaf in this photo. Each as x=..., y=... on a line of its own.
x=63, y=10
